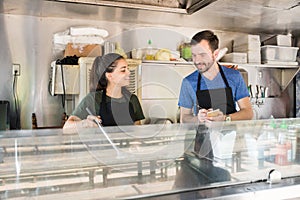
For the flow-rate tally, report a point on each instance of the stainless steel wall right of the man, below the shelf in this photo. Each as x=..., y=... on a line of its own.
x=280, y=90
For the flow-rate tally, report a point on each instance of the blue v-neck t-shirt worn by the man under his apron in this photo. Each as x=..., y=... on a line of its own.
x=188, y=98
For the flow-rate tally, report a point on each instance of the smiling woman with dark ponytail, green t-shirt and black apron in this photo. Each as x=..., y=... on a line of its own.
x=109, y=102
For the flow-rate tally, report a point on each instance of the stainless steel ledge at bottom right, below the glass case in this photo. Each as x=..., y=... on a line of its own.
x=288, y=189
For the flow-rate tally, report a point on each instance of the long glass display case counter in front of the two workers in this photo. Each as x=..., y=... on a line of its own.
x=228, y=160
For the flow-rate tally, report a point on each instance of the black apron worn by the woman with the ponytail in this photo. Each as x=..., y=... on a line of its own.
x=115, y=113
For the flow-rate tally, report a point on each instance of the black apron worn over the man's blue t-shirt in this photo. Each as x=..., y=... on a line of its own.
x=220, y=98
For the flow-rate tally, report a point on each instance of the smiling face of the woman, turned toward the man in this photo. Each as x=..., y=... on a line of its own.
x=120, y=74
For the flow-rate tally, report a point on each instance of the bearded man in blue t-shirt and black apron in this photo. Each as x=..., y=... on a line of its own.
x=212, y=87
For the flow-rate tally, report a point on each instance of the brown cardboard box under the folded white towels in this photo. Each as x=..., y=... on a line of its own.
x=81, y=50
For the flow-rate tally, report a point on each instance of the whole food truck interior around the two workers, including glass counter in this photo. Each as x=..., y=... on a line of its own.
x=156, y=160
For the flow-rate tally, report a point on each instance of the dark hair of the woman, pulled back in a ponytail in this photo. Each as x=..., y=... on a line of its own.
x=101, y=65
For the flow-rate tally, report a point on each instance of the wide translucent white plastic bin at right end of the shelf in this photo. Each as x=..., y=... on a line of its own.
x=278, y=53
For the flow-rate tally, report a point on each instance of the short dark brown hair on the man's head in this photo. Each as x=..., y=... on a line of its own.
x=208, y=35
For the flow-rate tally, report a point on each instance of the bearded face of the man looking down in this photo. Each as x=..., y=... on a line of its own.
x=203, y=57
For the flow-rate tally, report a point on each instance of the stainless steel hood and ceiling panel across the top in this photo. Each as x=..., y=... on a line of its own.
x=255, y=16
